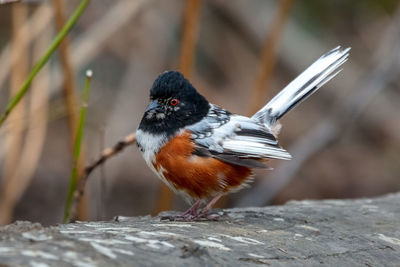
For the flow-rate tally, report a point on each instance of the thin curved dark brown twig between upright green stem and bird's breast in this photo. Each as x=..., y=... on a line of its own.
x=107, y=154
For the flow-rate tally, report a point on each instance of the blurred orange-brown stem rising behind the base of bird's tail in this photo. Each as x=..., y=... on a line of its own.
x=268, y=58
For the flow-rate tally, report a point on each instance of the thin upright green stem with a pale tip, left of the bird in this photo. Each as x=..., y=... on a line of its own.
x=77, y=148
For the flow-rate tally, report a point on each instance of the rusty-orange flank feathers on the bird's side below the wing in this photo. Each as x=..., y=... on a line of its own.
x=200, y=177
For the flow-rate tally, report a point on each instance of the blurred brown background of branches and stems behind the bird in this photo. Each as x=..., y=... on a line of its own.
x=345, y=139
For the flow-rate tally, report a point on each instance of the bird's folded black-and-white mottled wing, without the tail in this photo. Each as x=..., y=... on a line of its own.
x=235, y=139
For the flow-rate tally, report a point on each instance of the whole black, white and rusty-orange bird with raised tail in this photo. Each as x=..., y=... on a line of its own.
x=203, y=151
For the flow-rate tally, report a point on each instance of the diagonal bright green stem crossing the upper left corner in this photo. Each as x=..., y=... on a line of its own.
x=56, y=42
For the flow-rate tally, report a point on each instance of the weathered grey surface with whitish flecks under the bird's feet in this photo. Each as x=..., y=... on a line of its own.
x=363, y=232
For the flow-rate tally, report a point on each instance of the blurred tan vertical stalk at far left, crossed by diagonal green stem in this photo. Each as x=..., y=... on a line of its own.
x=14, y=136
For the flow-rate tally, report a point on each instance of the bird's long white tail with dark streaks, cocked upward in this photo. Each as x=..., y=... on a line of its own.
x=316, y=75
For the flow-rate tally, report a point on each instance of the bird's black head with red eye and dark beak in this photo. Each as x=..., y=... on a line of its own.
x=174, y=104
